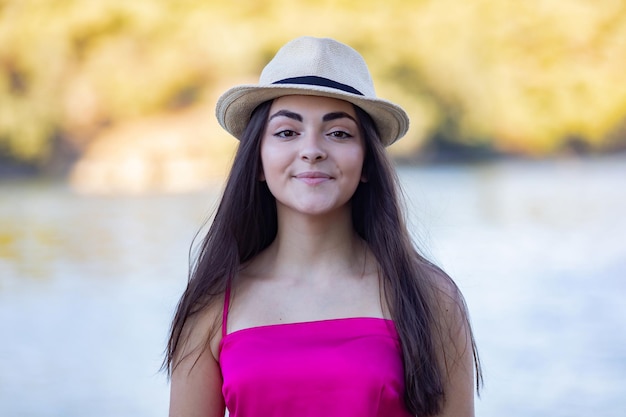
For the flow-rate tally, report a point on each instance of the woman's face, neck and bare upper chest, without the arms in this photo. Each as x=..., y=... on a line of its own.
x=317, y=268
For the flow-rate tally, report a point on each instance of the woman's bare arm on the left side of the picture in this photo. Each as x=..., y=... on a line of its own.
x=196, y=379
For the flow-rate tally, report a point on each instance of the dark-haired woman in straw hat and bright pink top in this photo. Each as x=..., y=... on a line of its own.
x=307, y=297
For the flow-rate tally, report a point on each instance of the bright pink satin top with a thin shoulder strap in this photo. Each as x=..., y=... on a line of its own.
x=339, y=367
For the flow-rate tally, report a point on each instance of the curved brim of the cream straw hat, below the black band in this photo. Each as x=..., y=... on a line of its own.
x=235, y=106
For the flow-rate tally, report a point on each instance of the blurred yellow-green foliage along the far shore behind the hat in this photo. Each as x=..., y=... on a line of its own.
x=525, y=77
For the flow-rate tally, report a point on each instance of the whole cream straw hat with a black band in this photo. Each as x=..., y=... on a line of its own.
x=317, y=67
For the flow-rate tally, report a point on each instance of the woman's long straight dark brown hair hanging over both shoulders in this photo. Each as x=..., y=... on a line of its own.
x=245, y=223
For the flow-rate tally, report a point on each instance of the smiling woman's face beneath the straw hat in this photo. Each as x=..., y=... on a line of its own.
x=312, y=153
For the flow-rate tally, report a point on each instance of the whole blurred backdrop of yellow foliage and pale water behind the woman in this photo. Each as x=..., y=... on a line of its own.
x=111, y=160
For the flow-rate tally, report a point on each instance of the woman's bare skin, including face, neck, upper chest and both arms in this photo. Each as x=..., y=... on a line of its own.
x=317, y=268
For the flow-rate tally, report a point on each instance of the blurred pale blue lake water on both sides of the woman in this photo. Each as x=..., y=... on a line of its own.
x=88, y=286
